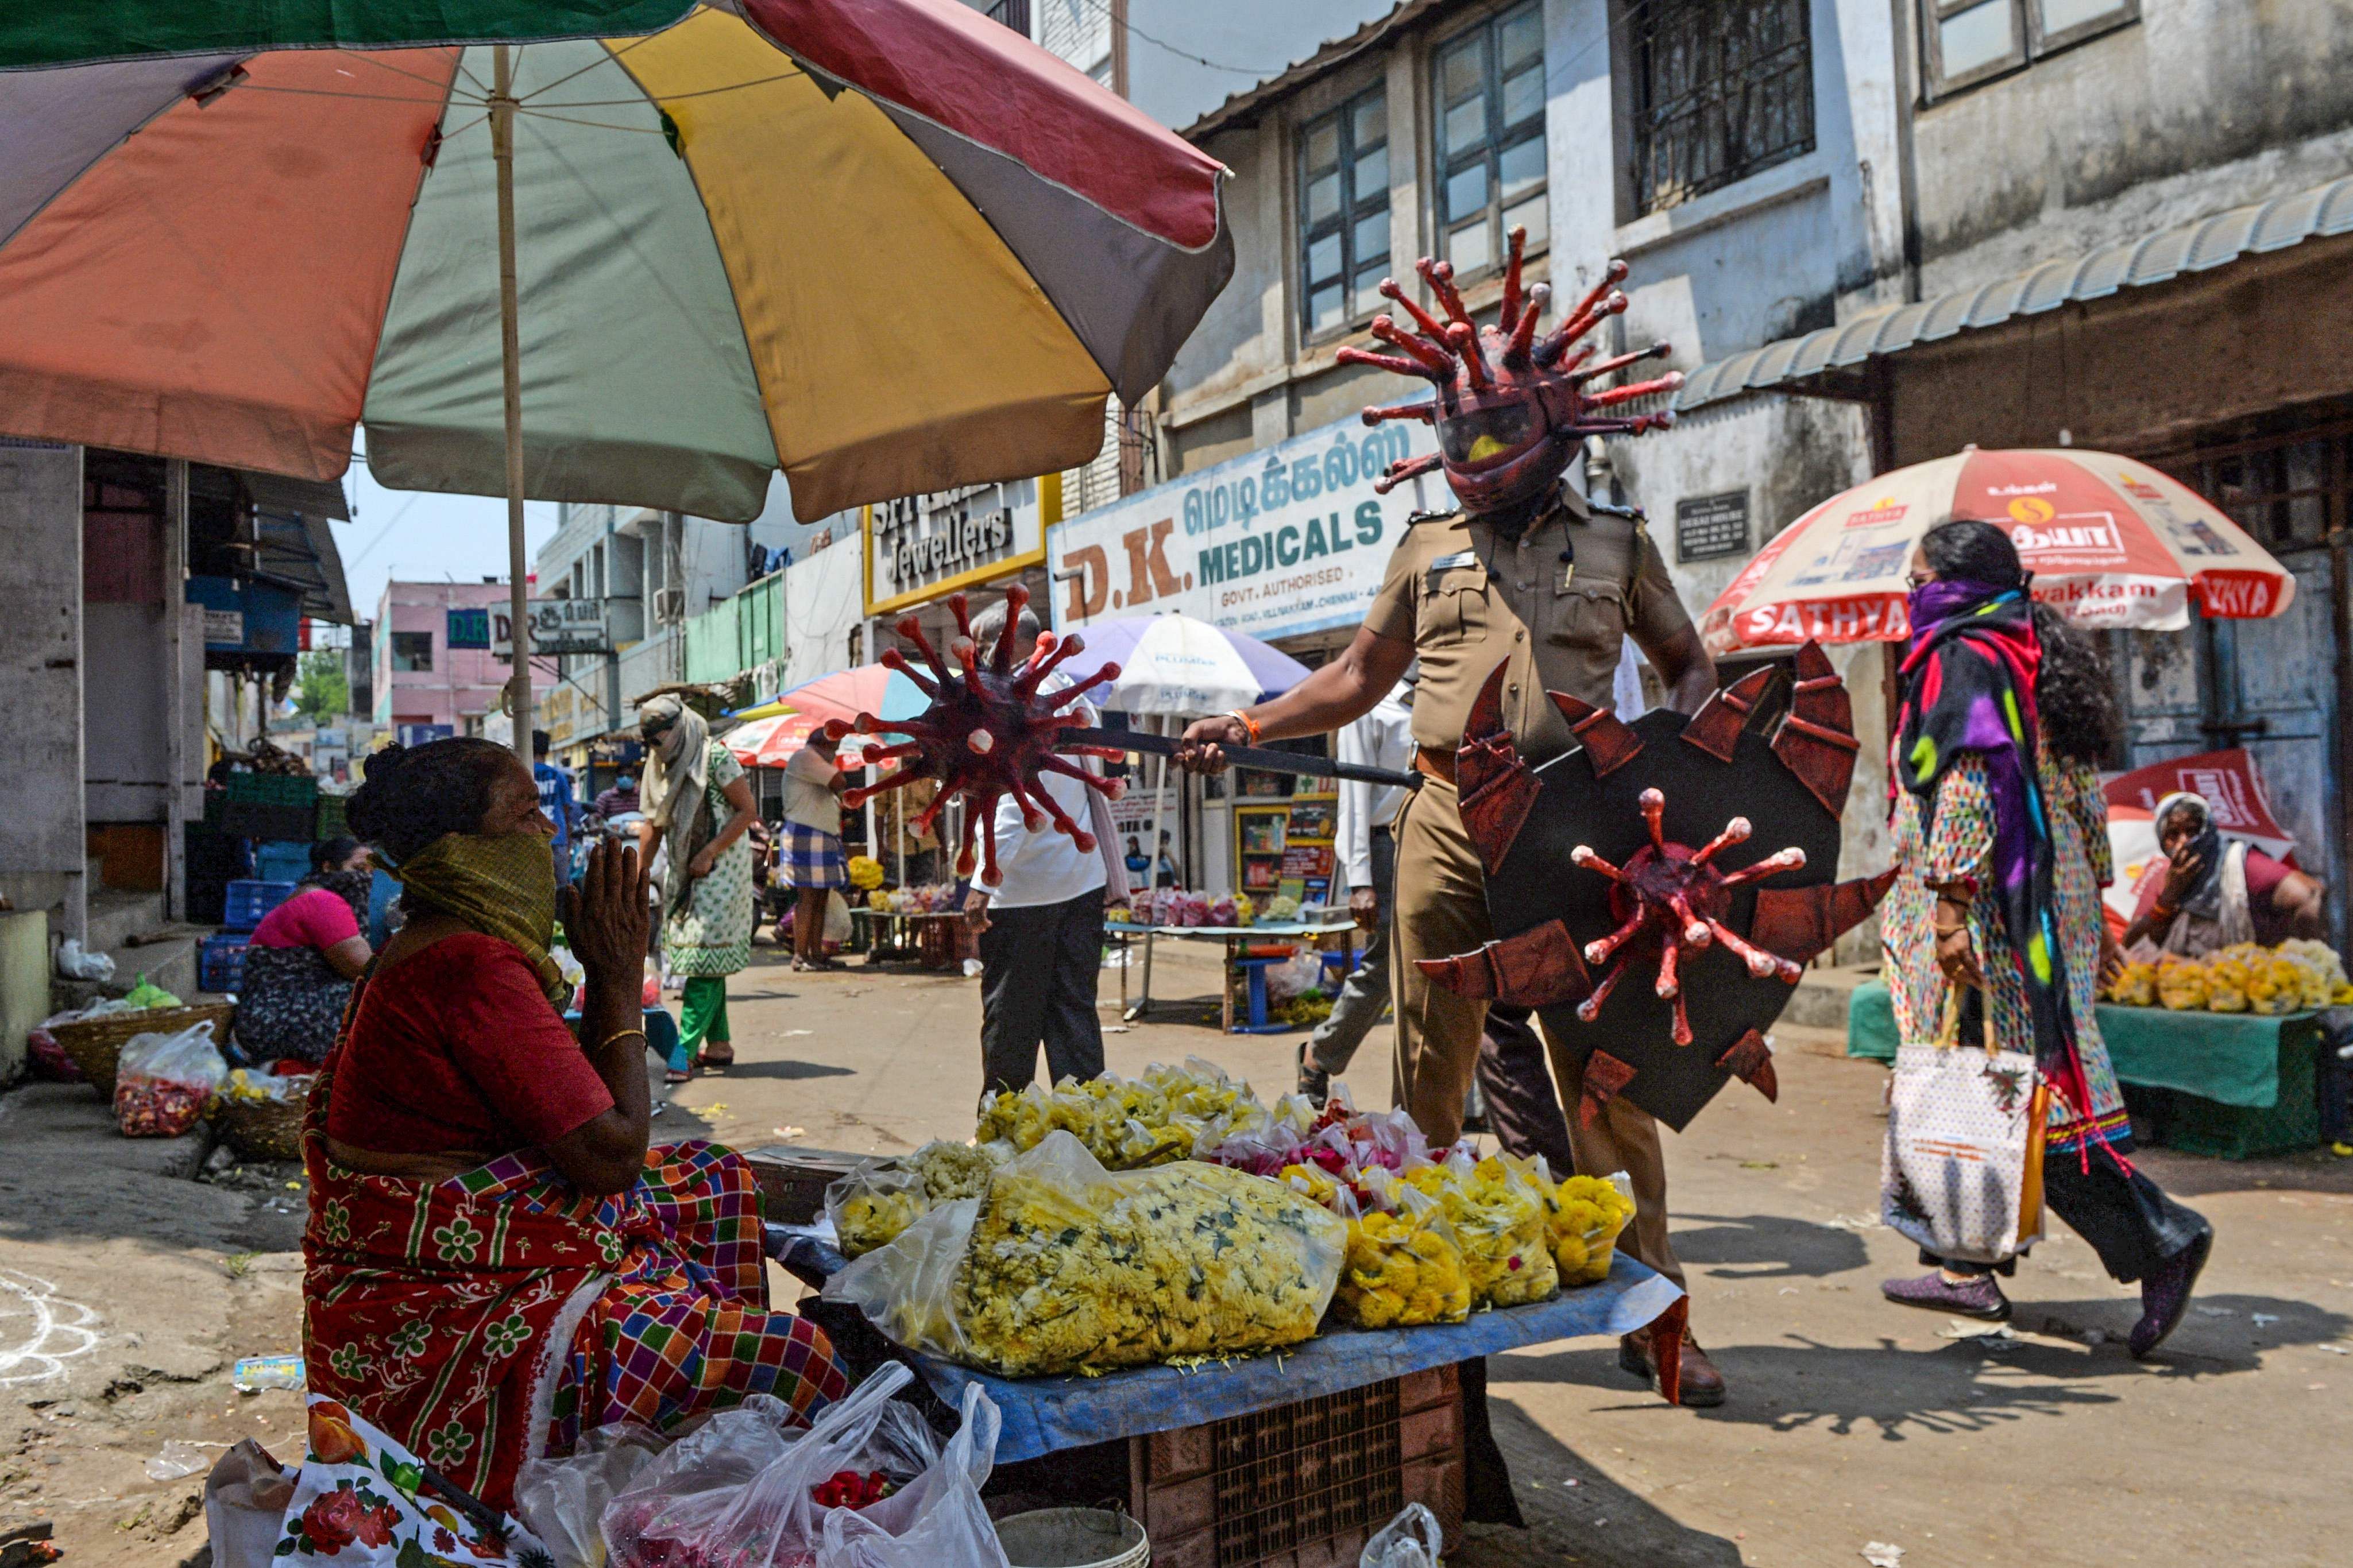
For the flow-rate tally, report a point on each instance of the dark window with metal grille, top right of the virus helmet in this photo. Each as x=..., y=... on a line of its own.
x=1719, y=93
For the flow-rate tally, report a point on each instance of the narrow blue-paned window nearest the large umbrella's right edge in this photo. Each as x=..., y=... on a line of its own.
x=1345, y=210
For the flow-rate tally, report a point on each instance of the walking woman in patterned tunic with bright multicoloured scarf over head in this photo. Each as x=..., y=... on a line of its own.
x=2001, y=829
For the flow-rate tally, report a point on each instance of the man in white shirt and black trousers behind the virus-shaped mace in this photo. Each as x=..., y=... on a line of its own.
x=1041, y=932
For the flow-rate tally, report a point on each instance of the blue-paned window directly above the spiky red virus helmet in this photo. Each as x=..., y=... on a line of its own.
x=1488, y=98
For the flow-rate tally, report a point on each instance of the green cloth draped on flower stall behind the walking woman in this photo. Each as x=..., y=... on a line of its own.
x=2229, y=1085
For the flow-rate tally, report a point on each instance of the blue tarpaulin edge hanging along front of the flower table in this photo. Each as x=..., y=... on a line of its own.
x=1053, y=1414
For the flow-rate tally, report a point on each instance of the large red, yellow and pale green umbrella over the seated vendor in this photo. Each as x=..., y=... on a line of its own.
x=585, y=250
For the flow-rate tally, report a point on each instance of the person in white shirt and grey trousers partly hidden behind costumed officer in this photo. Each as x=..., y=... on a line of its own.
x=1368, y=857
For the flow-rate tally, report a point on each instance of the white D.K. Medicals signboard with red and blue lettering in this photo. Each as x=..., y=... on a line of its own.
x=1274, y=544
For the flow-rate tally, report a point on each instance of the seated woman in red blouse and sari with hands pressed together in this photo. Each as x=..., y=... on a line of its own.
x=495, y=1259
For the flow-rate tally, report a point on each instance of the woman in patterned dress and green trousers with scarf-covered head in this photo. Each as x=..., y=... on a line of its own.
x=698, y=808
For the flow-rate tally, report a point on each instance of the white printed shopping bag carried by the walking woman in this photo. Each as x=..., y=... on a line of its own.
x=1961, y=1170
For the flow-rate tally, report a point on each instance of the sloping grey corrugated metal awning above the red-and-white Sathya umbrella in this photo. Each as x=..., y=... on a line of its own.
x=2133, y=264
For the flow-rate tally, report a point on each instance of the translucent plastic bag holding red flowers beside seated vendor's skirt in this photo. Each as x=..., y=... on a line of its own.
x=756, y=1494
